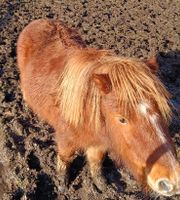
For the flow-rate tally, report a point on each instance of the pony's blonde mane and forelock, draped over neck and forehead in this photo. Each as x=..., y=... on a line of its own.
x=131, y=79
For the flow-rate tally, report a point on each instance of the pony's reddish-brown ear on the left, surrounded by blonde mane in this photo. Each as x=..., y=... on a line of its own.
x=103, y=82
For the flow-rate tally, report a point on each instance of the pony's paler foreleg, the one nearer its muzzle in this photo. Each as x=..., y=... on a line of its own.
x=95, y=157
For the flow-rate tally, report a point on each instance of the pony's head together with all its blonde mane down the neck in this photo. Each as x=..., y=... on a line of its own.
x=127, y=100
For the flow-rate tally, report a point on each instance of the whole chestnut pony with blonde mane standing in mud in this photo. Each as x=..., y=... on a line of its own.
x=97, y=103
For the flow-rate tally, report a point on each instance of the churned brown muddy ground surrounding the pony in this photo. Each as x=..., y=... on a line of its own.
x=138, y=28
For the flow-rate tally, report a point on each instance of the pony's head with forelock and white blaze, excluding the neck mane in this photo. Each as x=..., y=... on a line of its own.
x=135, y=108
